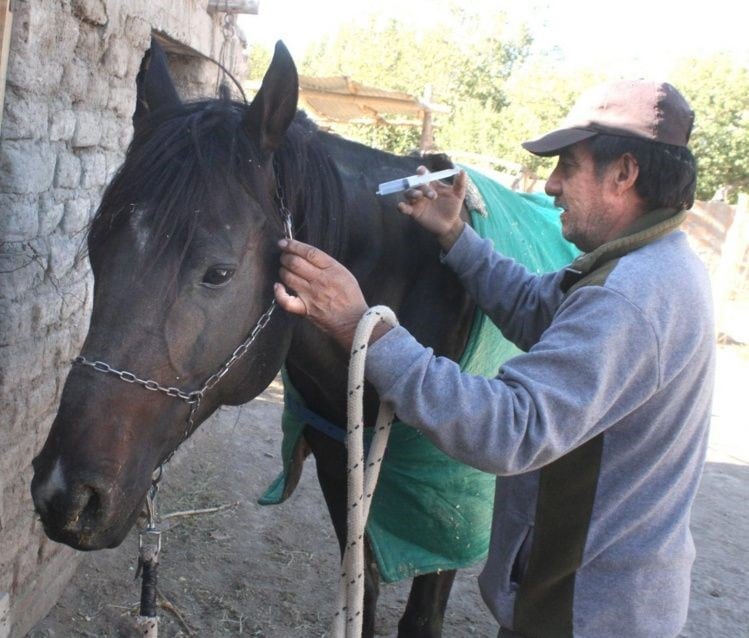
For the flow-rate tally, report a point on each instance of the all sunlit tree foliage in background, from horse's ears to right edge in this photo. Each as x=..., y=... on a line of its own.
x=500, y=91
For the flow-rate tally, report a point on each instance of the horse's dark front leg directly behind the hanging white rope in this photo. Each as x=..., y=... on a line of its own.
x=330, y=459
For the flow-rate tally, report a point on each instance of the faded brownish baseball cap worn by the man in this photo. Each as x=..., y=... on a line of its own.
x=653, y=111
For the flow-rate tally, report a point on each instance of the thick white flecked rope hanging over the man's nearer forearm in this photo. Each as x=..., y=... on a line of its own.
x=347, y=622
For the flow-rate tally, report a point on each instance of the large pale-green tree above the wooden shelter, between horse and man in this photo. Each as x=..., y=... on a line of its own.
x=465, y=58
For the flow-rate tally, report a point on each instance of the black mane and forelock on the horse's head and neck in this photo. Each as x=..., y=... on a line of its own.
x=182, y=158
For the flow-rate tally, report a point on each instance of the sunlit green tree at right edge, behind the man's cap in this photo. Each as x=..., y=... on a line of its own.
x=717, y=88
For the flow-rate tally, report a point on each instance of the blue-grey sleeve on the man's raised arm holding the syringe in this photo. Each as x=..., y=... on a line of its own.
x=518, y=302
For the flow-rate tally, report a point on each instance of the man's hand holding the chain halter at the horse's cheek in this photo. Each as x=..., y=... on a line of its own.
x=326, y=292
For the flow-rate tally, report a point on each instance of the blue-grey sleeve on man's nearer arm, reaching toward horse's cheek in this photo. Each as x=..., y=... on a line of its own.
x=596, y=363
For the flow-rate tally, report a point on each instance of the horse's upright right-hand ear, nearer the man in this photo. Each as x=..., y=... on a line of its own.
x=271, y=112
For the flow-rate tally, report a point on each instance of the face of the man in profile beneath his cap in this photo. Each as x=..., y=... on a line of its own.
x=589, y=217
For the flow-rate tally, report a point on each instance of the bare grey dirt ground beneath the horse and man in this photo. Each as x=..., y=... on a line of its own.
x=270, y=572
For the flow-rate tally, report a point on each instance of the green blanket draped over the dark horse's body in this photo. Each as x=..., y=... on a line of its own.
x=430, y=512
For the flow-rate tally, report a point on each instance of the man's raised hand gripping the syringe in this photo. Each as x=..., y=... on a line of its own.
x=437, y=206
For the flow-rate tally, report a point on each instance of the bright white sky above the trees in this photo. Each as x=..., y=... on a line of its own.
x=637, y=38
